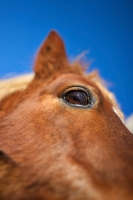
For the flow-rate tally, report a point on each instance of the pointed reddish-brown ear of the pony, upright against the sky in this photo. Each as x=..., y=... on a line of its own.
x=51, y=56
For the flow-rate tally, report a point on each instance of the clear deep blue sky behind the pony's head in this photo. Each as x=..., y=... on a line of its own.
x=103, y=27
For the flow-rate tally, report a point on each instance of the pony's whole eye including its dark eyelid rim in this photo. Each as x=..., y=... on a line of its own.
x=77, y=98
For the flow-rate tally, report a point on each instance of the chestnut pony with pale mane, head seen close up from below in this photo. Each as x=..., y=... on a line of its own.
x=62, y=135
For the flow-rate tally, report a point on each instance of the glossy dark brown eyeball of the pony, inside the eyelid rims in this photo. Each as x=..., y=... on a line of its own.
x=76, y=97
